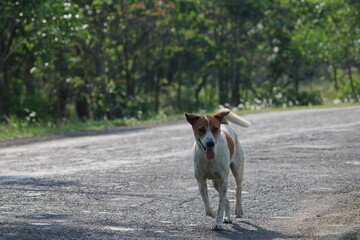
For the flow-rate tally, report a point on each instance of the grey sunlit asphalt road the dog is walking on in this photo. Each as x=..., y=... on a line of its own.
x=302, y=181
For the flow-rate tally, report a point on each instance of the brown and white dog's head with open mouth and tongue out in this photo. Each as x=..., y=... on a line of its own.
x=207, y=130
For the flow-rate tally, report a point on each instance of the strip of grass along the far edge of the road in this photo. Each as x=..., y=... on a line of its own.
x=16, y=128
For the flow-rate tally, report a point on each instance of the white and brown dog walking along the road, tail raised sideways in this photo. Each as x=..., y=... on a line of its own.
x=217, y=150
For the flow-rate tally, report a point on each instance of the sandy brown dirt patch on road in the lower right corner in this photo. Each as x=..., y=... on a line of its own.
x=330, y=216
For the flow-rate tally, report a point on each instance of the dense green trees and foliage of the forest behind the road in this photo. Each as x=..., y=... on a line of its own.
x=118, y=59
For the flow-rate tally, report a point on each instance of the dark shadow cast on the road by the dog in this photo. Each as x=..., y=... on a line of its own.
x=247, y=230
